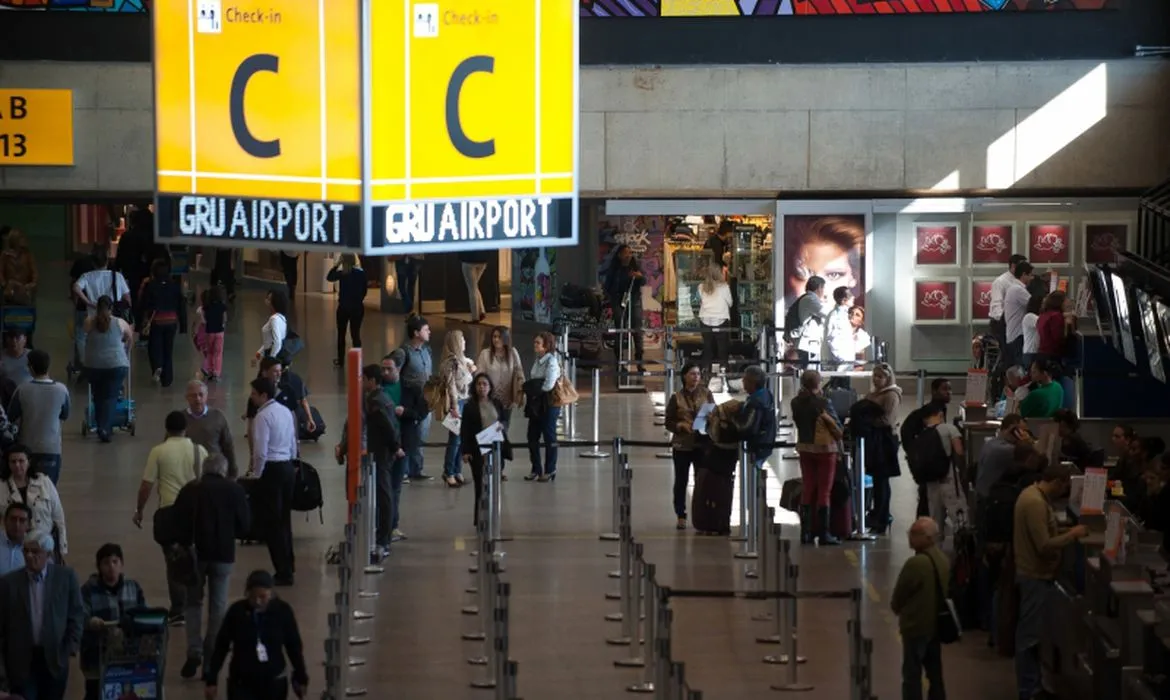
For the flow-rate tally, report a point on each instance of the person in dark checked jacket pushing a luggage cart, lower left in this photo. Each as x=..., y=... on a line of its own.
x=106, y=598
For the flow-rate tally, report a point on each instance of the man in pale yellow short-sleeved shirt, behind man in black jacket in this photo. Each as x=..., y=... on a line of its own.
x=173, y=464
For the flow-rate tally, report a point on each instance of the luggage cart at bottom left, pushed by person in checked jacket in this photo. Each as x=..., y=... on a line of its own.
x=133, y=662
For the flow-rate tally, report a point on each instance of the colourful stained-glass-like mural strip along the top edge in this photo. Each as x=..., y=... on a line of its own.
x=667, y=9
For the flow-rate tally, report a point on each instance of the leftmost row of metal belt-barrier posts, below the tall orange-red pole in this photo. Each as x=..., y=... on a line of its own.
x=356, y=564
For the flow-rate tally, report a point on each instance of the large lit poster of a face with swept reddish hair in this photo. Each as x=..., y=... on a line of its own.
x=832, y=248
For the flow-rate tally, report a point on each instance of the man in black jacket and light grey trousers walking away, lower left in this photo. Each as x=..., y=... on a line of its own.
x=217, y=510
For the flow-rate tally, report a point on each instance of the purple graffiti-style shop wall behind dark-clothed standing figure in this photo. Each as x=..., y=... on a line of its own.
x=646, y=238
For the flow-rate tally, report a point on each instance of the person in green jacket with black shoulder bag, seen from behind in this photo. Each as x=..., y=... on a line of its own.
x=916, y=602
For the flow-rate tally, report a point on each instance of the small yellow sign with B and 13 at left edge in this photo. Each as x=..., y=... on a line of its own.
x=36, y=127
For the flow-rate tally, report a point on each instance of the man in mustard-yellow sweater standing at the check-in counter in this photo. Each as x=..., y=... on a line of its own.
x=1037, y=544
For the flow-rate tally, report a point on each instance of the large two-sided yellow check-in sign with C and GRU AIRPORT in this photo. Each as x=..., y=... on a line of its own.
x=383, y=127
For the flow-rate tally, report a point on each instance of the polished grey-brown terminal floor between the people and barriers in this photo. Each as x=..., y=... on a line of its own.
x=558, y=566
